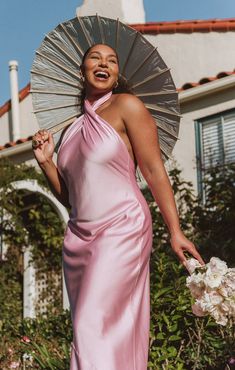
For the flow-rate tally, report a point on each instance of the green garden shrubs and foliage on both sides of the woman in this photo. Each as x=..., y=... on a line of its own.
x=178, y=339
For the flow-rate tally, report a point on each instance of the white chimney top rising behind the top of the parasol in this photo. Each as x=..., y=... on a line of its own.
x=130, y=11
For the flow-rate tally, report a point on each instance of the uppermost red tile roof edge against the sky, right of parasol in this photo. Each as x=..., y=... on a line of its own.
x=209, y=25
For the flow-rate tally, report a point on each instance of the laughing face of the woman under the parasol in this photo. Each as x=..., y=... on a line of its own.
x=100, y=69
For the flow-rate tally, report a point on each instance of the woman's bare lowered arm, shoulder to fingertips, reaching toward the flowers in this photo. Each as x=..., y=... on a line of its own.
x=142, y=133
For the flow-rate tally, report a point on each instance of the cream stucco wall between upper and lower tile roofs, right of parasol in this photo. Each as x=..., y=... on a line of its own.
x=192, y=56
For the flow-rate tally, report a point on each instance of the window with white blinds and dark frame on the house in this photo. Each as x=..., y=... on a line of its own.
x=215, y=143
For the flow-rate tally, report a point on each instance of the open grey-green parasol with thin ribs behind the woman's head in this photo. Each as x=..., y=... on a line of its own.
x=56, y=84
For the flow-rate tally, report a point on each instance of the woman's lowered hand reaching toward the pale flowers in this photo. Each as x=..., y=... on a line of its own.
x=180, y=243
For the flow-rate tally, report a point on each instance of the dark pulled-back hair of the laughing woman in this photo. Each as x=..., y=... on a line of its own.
x=123, y=86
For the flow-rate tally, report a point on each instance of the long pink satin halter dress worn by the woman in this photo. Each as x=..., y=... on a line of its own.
x=107, y=246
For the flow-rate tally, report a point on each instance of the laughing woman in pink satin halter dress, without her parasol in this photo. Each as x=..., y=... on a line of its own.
x=108, y=238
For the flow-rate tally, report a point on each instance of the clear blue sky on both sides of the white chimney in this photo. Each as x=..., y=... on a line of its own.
x=24, y=23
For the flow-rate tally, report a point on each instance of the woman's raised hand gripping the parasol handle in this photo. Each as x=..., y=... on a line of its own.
x=43, y=146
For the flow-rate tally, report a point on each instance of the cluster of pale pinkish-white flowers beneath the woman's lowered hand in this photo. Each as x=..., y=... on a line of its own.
x=213, y=289
